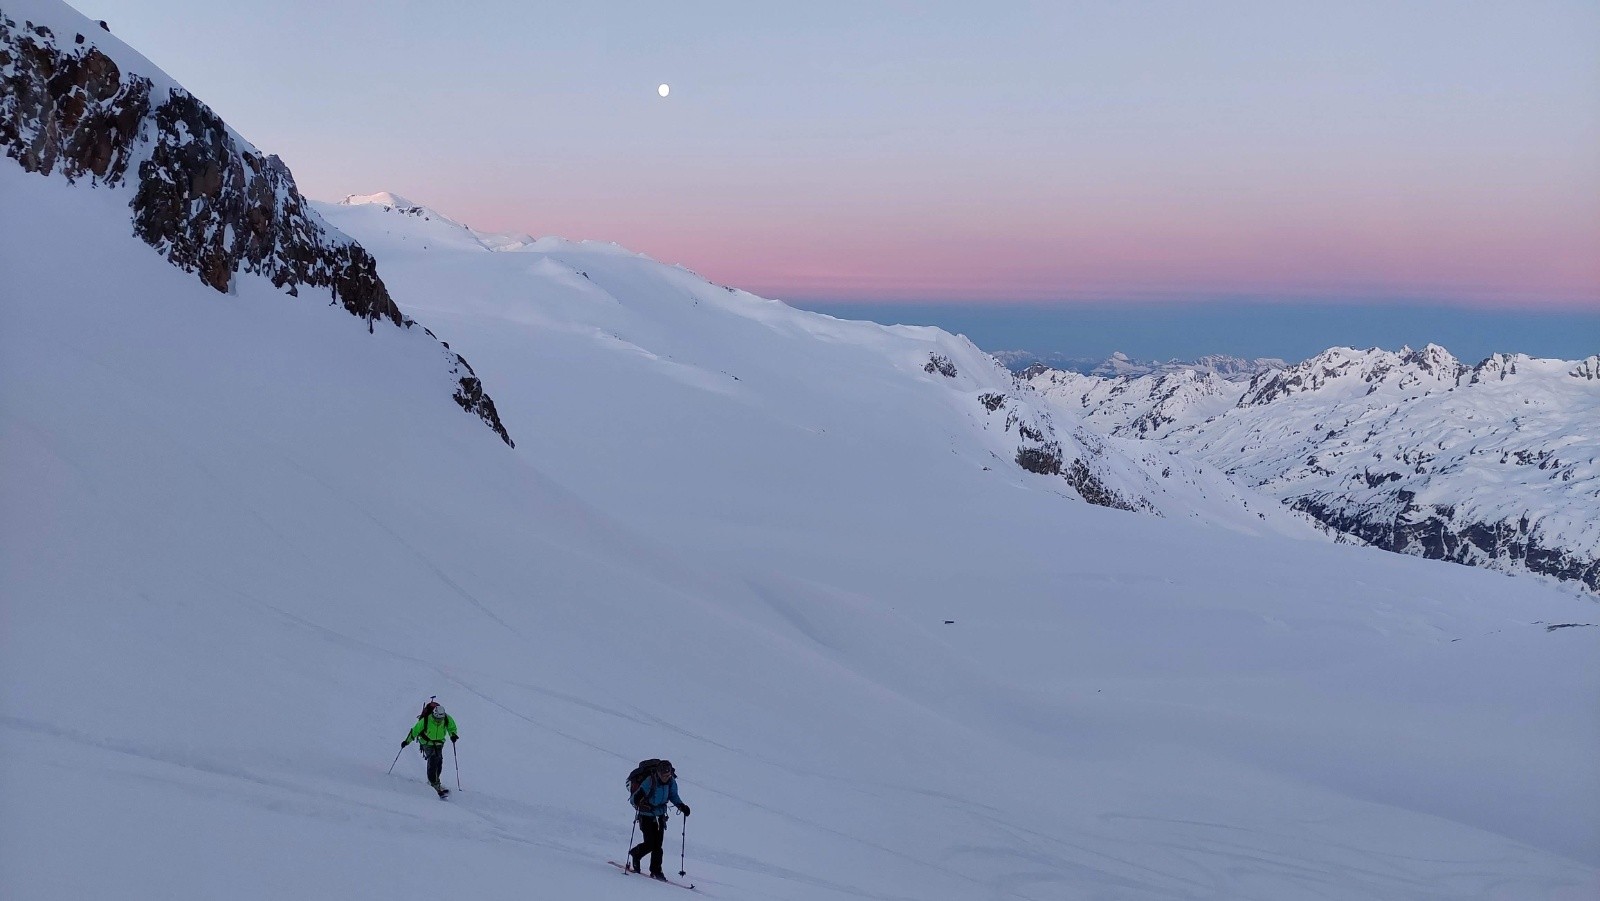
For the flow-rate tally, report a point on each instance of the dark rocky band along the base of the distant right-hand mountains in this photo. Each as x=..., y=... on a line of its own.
x=1436, y=532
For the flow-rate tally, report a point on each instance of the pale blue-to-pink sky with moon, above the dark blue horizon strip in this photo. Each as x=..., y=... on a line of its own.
x=1014, y=153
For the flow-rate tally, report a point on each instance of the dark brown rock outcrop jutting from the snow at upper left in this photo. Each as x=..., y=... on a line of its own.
x=204, y=199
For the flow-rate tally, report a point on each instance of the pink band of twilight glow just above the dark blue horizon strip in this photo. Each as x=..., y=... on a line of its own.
x=1463, y=257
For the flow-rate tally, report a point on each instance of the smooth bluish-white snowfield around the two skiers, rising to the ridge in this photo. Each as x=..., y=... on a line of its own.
x=242, y=540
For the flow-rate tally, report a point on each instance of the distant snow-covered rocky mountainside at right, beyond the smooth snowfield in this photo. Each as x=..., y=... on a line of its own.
x=1495, y=465
